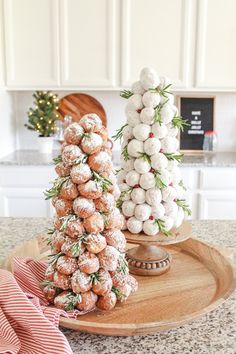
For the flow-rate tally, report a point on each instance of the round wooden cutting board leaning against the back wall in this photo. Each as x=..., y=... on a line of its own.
x=78, y=104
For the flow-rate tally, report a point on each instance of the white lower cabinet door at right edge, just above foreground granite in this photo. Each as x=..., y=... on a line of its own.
x=218, y=205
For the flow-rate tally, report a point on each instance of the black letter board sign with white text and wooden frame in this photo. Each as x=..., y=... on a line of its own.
x=199, y=112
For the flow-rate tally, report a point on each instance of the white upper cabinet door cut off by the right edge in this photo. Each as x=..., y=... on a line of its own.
x=216, y=50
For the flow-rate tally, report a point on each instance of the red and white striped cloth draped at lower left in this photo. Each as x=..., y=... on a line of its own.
x=27, y=324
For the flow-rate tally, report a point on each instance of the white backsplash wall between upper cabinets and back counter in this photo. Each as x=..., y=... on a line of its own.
x=225, y=117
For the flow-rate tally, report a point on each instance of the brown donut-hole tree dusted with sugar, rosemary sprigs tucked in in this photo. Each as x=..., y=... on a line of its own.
x=87, y=268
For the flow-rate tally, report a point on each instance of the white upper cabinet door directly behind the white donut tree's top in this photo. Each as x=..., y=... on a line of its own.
x=157, y=33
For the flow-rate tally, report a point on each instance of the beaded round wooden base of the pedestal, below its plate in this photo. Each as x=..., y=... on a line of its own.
x=148, y=260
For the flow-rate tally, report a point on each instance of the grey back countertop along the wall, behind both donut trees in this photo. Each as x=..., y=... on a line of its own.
x=34, y=158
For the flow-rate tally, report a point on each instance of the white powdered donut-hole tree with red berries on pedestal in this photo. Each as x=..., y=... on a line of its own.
x=150, y=180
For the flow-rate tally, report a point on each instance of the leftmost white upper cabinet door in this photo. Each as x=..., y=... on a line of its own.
x=31, y=37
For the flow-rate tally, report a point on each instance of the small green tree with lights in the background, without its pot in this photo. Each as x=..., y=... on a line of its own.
x=43, y=116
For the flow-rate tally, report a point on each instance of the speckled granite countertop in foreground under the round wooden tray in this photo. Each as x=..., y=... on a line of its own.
x=214, y=333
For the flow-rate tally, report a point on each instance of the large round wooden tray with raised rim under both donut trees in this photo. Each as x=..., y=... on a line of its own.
x=200, y=280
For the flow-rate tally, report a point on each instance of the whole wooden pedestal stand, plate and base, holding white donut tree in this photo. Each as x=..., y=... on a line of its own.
x=150, y=259
